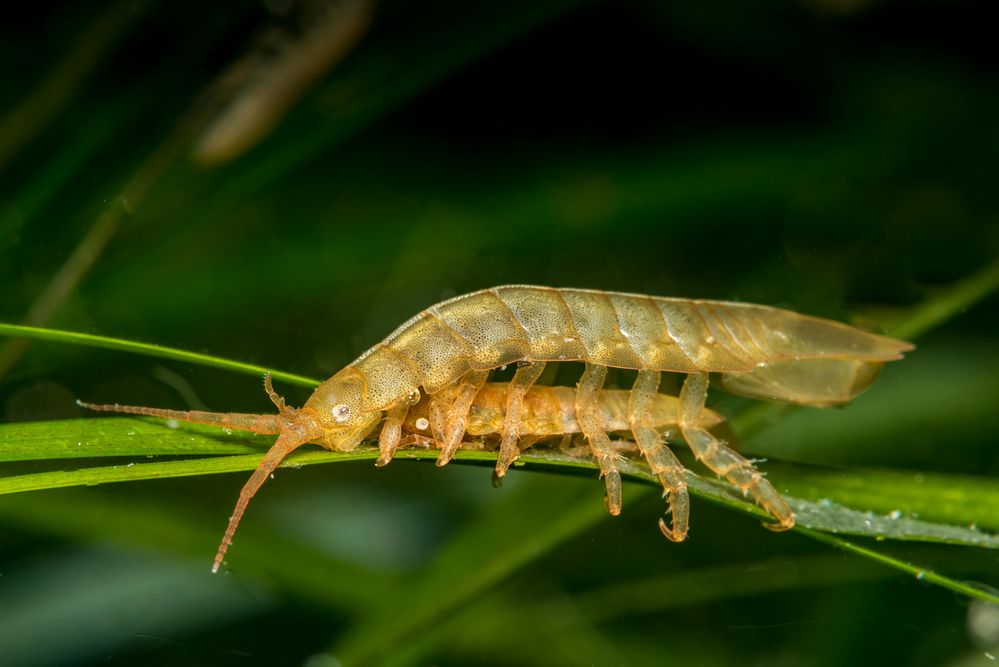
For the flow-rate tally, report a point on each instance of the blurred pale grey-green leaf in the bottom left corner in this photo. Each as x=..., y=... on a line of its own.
x=90, y=622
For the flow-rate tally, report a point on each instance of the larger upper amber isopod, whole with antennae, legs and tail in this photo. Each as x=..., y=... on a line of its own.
x=447, y=351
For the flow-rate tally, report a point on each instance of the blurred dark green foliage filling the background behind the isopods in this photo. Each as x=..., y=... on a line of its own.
x=836, y=157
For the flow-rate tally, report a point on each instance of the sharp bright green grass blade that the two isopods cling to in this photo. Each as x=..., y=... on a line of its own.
x=126, y=437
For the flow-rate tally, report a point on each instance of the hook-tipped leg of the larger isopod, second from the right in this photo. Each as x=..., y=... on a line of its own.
x=663, y=462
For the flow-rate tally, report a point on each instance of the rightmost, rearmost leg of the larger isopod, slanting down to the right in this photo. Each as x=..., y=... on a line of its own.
x=722, y=460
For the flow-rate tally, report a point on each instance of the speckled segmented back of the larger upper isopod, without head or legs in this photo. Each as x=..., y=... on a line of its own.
x=504, y=325
